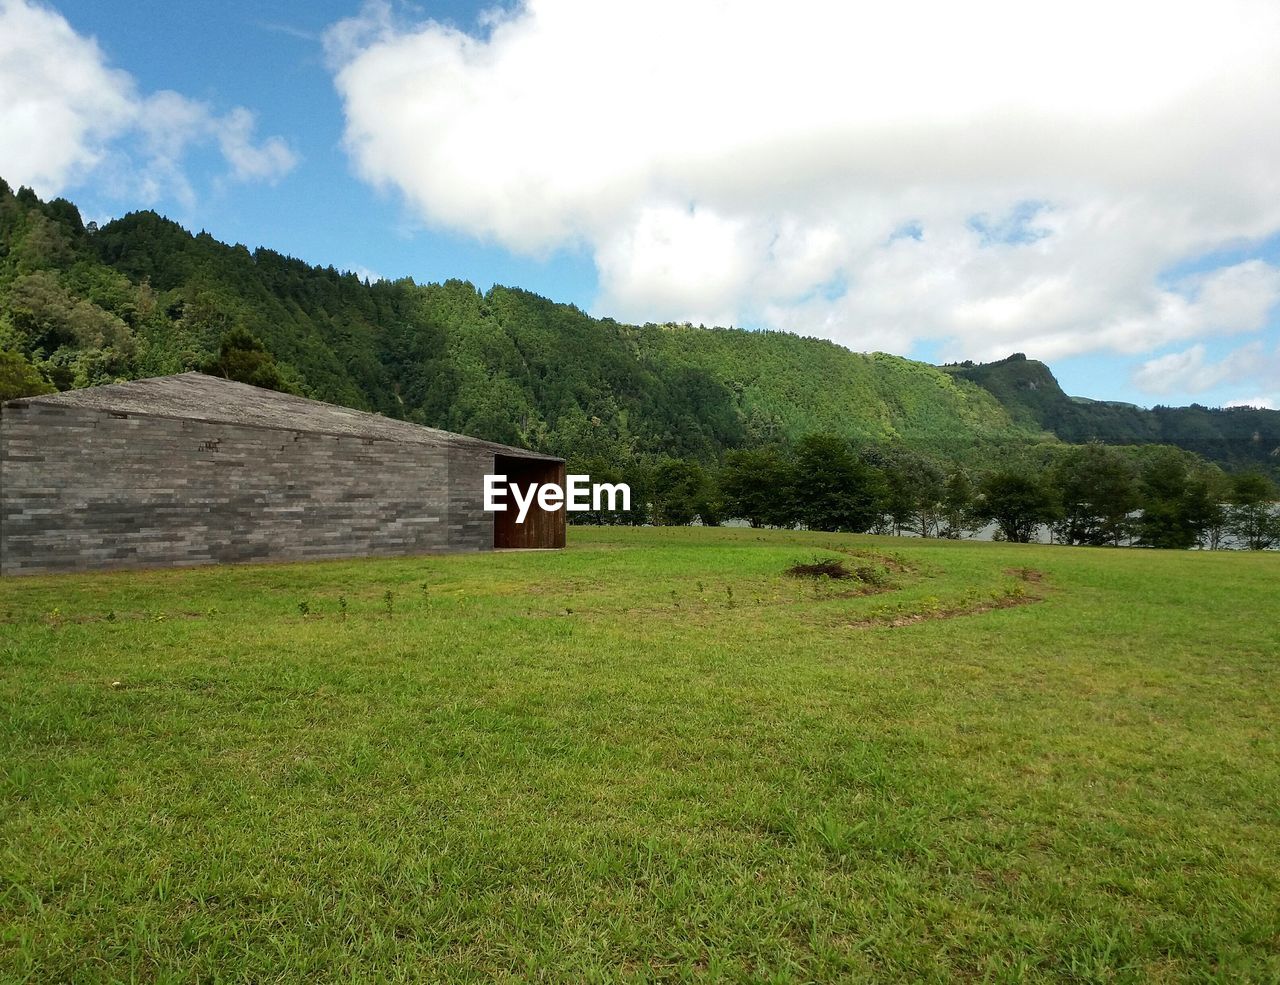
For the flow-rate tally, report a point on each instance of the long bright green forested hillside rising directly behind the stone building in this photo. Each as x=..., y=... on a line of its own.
x=143, y=297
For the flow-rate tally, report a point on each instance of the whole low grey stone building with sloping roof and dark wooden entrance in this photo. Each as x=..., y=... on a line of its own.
x=196, y=470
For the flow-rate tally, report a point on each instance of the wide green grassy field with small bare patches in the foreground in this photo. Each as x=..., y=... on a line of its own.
x=650, y=758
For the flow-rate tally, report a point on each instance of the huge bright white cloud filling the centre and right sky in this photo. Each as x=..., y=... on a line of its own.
x=995, y=176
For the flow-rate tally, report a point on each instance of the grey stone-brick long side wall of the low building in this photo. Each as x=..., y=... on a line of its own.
x=86, y=489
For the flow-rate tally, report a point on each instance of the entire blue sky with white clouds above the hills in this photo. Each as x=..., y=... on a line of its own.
x=1095, y=185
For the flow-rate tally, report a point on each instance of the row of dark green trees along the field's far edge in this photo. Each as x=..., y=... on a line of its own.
x=1090, y=496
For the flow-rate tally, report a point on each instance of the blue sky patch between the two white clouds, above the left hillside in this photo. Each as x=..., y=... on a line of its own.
x=269, y=58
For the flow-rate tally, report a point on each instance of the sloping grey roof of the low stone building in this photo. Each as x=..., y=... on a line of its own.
x=196, y=397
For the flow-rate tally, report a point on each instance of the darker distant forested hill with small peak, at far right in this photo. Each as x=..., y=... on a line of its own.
x=1236, y=438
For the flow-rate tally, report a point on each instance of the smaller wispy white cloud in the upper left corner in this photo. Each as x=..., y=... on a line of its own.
x=66, y=114
